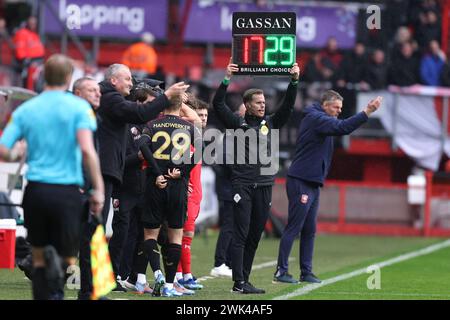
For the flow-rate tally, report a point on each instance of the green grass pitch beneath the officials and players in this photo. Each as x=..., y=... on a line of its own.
x=423, y=277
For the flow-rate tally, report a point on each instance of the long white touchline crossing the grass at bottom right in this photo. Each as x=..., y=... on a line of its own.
x=310, y=287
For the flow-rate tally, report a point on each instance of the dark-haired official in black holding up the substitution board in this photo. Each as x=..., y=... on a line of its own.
x=252, y=190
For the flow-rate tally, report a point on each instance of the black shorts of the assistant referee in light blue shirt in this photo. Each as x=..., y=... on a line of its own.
x=52, y=215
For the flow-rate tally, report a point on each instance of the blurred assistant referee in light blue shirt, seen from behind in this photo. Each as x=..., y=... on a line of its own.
x=57, y=127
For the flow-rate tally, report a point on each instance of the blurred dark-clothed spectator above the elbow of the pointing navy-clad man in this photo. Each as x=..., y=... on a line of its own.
x=353, y=66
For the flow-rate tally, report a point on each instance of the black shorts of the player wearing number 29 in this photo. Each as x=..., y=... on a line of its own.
x=168, y=204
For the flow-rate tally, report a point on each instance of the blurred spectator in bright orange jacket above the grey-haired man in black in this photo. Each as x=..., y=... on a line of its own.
x=141, y=57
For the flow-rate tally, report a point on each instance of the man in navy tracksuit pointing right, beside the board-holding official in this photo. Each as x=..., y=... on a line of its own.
x=307, y=173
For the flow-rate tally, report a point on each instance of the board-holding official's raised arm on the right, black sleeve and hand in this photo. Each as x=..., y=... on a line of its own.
x=280, y=117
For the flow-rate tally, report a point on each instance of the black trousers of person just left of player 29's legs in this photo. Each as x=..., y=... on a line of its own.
x=118, y=244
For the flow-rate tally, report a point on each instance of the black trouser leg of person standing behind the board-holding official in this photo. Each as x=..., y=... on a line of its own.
x=224, y=241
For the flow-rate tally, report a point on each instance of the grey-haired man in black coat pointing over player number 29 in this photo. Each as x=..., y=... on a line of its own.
x=114, y=113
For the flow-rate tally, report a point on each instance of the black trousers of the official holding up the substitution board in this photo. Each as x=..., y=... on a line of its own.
x=251, y=209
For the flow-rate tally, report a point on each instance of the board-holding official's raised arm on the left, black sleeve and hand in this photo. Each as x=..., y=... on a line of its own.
x=224, y=113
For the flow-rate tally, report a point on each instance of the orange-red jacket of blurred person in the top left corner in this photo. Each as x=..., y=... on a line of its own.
x=28, y=44
